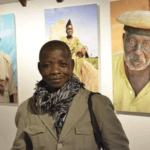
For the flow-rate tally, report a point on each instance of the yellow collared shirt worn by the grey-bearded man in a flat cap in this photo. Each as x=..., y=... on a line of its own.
x=124, y=95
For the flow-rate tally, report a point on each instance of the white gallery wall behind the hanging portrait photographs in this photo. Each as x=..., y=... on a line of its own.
x=30, y=36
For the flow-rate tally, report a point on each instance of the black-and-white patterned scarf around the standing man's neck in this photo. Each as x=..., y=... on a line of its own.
x=57, y=103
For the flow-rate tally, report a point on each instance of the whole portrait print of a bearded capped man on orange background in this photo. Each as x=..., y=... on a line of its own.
x=130, y=31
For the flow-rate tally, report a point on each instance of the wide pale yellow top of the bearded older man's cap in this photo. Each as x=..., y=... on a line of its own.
x=136, y=19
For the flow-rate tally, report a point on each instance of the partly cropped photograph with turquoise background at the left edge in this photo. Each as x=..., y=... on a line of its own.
x=8, y=77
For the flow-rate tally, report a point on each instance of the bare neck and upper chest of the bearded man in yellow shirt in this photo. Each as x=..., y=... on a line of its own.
x=138, y=79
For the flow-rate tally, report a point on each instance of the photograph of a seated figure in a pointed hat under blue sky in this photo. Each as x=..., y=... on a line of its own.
x=77, y=27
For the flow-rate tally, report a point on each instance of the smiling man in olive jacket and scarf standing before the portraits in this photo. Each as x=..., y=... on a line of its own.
x=57, y=115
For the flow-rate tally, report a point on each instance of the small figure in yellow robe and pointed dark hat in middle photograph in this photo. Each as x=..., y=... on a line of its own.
x=78, y=51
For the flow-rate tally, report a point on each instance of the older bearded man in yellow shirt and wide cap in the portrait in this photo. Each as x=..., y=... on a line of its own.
x=131, y=69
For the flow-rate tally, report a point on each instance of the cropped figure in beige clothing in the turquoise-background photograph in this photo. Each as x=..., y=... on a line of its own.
x=8, y=91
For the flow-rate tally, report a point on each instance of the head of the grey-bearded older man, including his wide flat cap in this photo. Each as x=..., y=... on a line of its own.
x=136, y=39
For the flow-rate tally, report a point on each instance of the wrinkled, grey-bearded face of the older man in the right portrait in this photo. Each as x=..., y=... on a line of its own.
x=137, y=51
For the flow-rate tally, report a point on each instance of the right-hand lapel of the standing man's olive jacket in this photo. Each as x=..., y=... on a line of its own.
x=77, y=108
